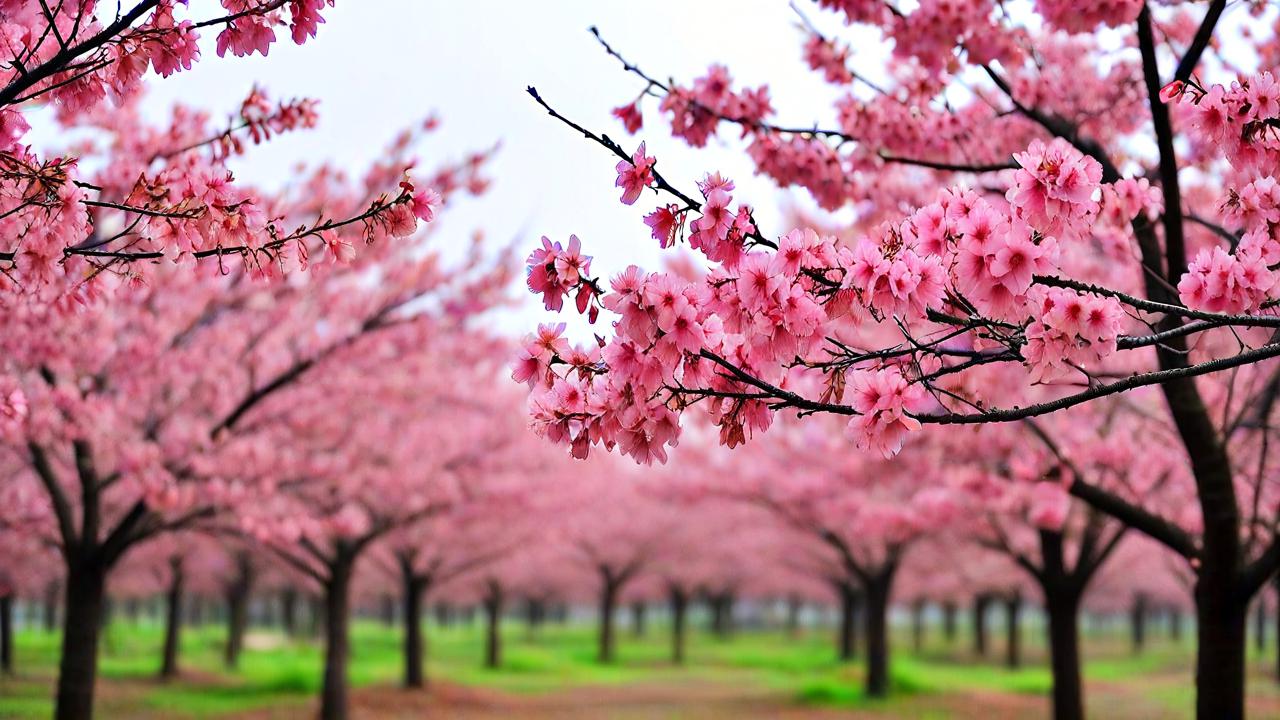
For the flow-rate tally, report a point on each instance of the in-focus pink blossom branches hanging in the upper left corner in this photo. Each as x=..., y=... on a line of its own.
x=167, y=197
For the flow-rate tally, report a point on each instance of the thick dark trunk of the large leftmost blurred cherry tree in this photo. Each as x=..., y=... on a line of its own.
x=77, y=671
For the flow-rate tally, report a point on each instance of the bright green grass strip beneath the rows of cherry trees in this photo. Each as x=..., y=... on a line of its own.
x=278, y=672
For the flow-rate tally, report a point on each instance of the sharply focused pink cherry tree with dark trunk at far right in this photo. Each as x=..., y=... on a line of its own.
x=1044, y=220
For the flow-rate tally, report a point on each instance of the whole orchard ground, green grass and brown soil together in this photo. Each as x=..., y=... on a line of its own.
x=554, y=676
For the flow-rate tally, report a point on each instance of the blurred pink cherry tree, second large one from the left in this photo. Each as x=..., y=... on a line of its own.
x=408, y=445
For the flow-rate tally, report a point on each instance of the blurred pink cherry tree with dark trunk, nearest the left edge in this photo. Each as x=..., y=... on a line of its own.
x=131, y=405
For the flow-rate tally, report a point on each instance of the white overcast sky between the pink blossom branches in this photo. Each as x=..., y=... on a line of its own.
x=380, y=66
